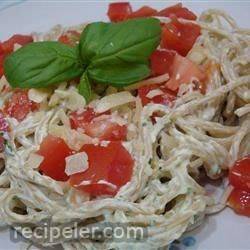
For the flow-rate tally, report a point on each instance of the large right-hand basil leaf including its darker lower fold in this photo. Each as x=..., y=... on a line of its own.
x=118, y=53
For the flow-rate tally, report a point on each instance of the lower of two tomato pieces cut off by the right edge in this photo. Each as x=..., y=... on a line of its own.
x=239, y=201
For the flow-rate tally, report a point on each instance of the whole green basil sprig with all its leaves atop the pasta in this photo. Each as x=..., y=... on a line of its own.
x=114, y=54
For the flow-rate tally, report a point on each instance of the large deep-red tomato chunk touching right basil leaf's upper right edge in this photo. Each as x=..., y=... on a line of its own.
x=179, y=36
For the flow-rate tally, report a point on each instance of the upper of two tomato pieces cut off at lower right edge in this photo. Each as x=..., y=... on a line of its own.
x=239, y=175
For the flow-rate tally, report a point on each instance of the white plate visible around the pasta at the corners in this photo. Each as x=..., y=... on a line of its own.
x=223, y=231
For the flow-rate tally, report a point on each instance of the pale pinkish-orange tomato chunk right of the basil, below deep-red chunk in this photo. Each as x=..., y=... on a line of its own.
x=185, y=71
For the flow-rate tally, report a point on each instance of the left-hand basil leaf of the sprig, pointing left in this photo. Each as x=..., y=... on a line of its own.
x=41, y=64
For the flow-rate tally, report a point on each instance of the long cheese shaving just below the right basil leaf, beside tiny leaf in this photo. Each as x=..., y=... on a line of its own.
x=114, y=100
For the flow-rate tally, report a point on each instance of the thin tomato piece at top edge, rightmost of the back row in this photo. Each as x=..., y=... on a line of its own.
x=178, y=11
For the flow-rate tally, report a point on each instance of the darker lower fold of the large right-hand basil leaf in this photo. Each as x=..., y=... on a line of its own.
x=119, y=75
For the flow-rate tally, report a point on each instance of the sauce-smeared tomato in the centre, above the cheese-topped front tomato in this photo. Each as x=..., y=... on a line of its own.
x=98, y=125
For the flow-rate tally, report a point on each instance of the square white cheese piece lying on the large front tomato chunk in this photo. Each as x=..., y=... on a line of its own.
x=76, y=163
